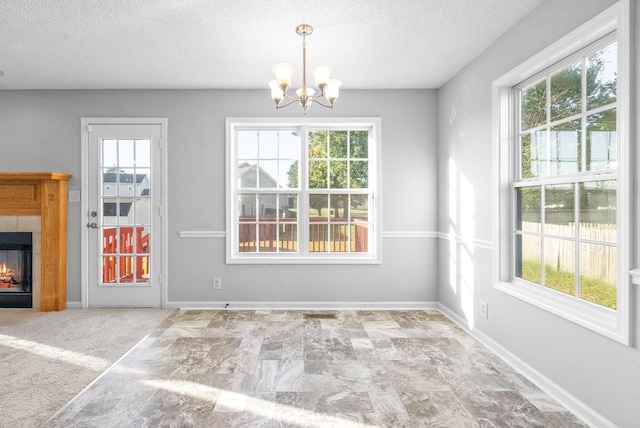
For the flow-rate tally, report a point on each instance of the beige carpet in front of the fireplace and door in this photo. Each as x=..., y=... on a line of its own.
x=46, y=359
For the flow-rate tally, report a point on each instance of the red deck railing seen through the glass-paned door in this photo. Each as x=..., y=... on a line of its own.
x=115, y=247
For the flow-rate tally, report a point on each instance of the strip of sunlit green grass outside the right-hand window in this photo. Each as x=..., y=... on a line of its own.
x=593, y=290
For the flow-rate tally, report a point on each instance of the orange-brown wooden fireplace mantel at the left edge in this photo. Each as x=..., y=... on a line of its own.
x=43, y=194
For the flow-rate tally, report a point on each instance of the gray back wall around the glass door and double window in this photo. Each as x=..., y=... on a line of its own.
x=41, y=132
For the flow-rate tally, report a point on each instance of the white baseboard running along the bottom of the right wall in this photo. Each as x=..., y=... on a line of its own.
x=562, y=396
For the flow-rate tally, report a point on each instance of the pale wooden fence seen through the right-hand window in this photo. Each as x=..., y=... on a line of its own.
x=596, y=261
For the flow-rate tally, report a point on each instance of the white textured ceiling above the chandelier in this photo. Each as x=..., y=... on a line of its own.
x=372, y=44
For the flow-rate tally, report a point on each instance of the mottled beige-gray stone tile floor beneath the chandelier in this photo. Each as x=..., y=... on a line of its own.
x=284, y=369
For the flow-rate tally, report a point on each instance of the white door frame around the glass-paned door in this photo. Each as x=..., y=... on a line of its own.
x=85, y=124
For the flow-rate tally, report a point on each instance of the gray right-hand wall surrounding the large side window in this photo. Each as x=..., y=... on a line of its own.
x=600, y=372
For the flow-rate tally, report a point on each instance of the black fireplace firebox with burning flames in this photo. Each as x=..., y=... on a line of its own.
x=16, y=270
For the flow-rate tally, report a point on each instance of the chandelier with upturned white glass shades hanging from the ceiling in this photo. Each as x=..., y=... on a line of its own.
x=329, y=88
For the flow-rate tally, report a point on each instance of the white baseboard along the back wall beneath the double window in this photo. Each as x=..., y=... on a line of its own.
x=305, y=305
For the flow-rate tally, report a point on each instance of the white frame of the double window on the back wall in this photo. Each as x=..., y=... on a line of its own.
x=373, y=256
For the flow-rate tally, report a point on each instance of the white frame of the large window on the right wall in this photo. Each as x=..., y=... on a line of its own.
x=615, y=324
